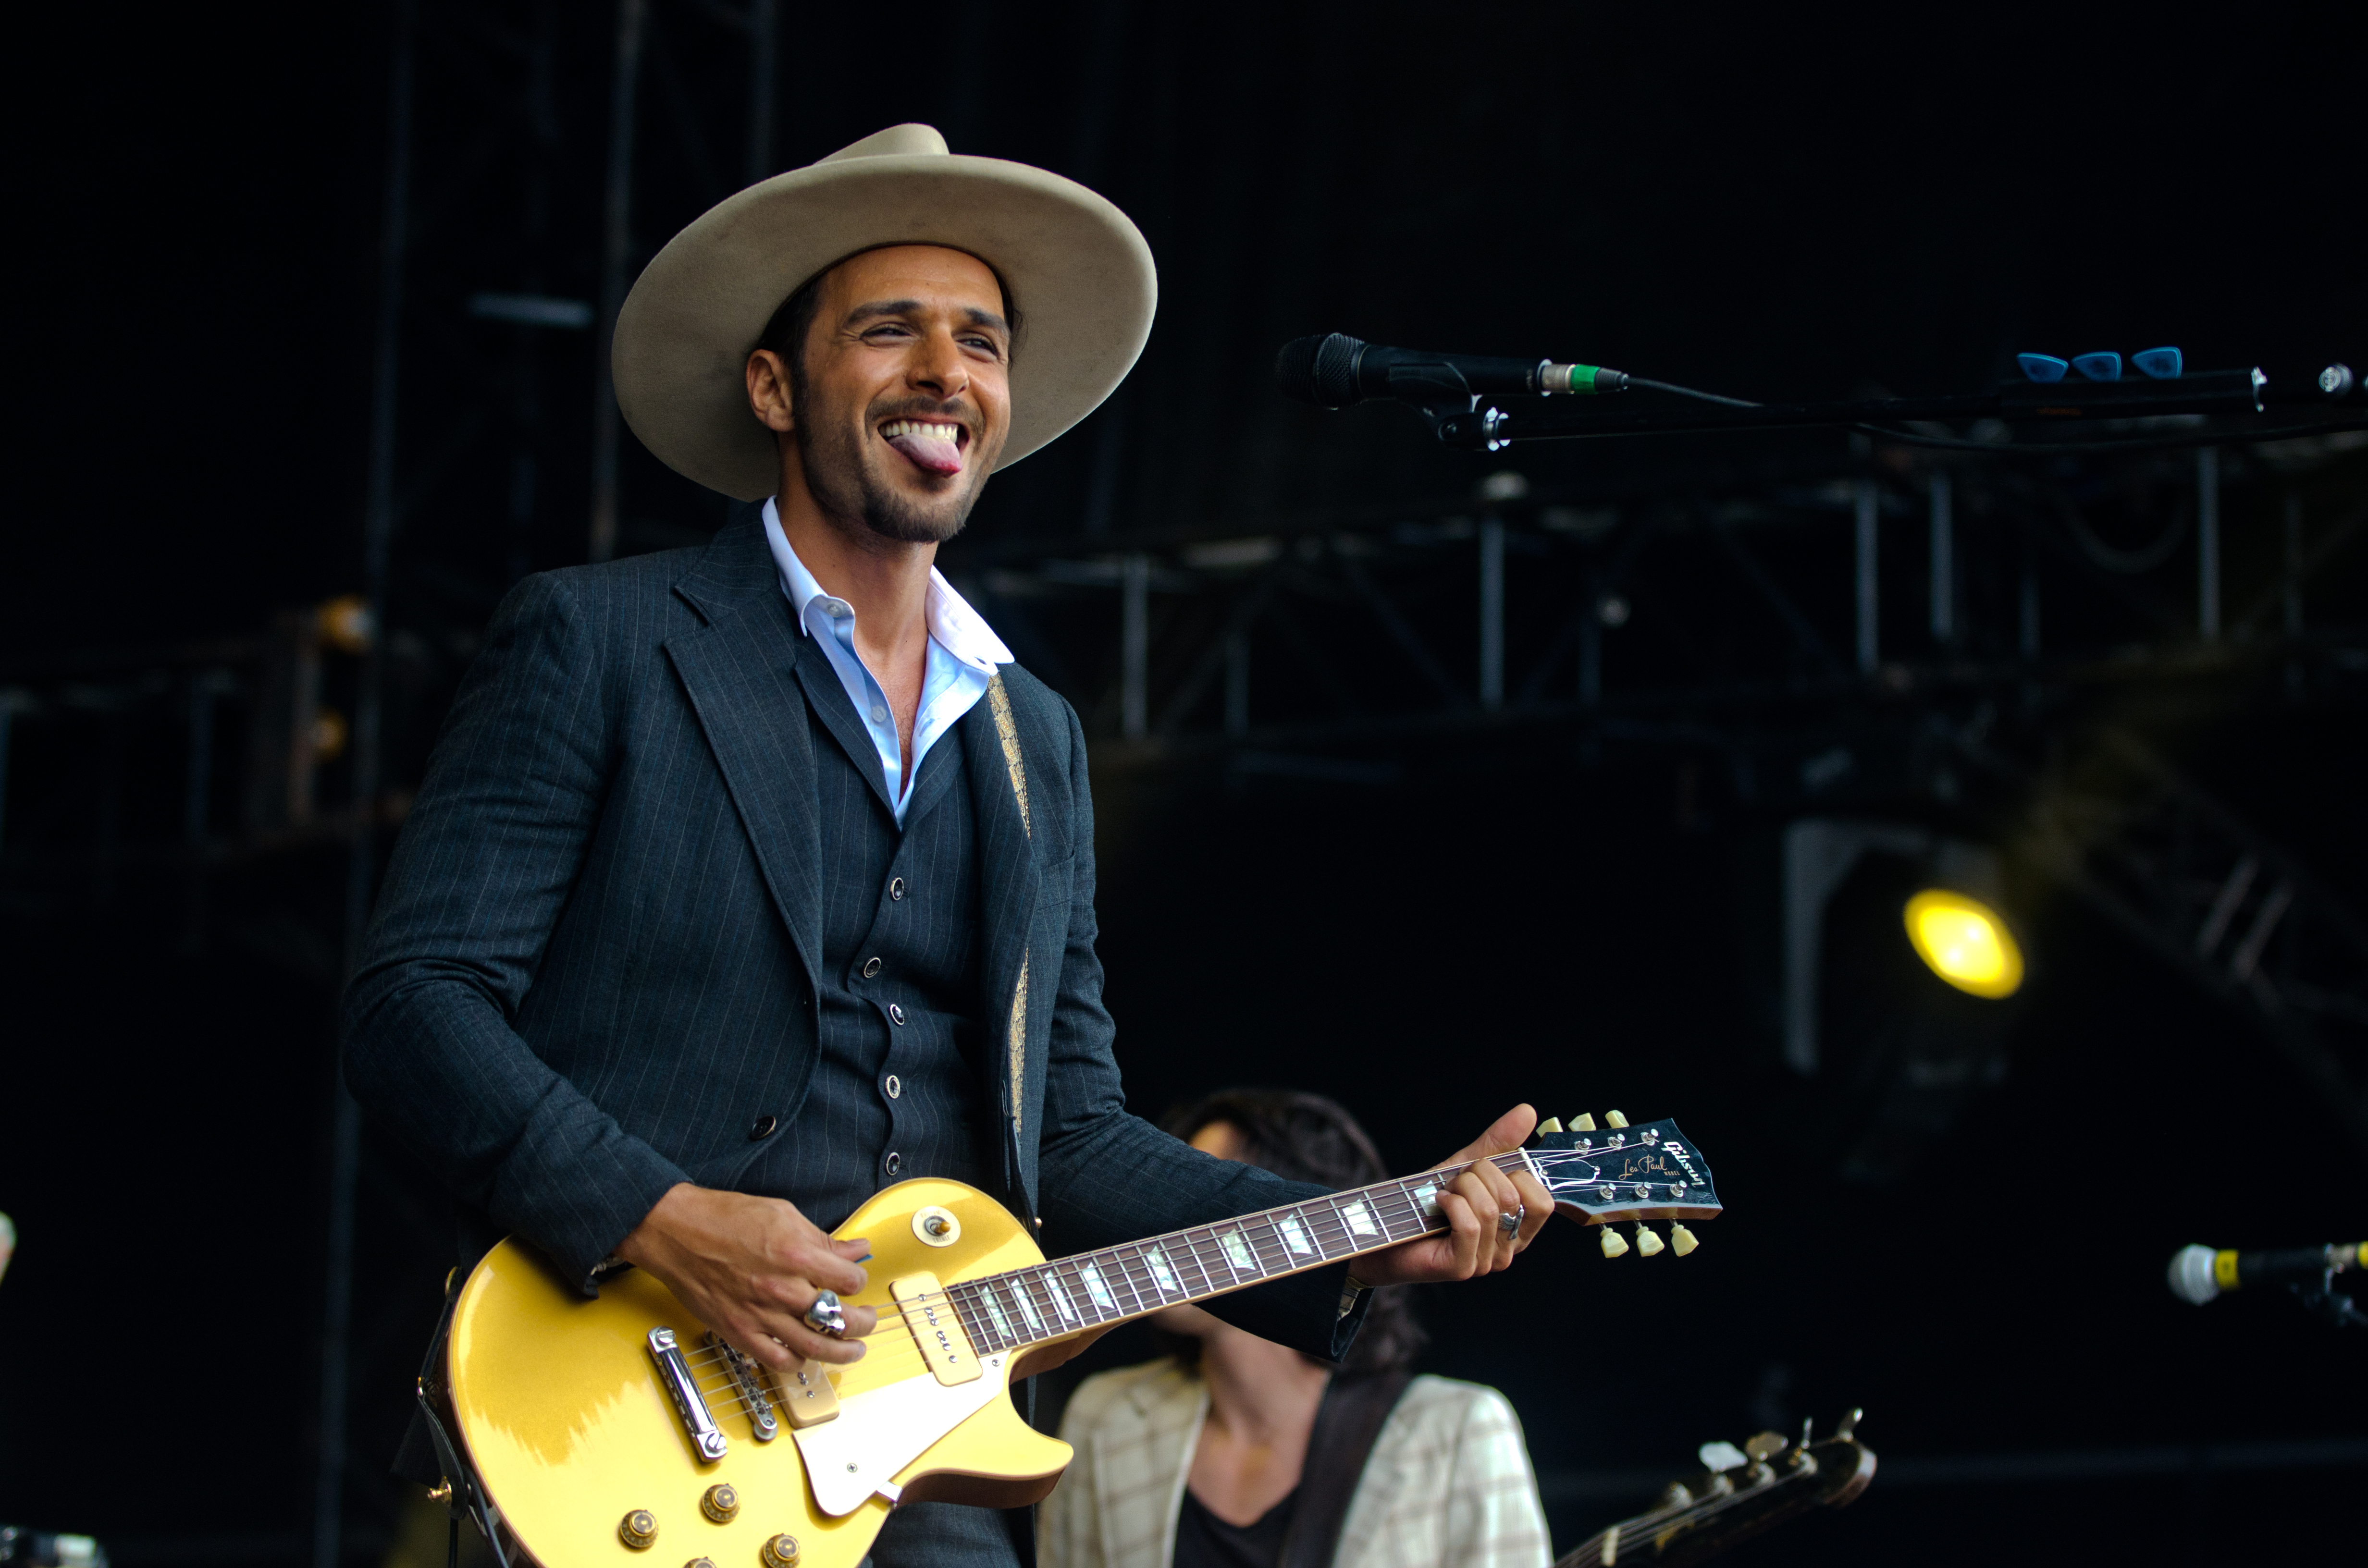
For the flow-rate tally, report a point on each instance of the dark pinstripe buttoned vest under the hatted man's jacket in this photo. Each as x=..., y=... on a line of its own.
x=906, y=1069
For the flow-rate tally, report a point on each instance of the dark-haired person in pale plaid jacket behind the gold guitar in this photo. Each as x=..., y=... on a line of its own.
x=1204, y=1458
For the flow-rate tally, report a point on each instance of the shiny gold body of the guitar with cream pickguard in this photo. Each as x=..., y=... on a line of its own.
x=570, y=1427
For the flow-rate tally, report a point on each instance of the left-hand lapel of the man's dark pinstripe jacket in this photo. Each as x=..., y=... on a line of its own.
x=742, y=679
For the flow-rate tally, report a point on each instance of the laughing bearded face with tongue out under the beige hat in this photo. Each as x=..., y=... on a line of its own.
x=908, y=392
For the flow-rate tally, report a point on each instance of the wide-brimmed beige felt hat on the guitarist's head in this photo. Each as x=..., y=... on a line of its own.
x=1079, y=271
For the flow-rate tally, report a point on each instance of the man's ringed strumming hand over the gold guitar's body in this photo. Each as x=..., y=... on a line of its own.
x=749, y=1268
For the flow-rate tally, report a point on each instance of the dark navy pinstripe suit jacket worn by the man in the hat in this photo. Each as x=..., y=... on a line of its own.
x=596, y=953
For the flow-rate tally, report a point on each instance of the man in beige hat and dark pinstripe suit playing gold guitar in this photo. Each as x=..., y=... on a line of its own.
x=754, y=878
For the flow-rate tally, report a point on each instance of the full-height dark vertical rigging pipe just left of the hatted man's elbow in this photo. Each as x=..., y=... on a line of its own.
x=363, y=844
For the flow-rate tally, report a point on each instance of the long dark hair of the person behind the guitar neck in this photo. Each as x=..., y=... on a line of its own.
x=1306, y=1138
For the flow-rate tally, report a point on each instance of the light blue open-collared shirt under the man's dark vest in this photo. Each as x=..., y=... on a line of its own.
x=963, y=657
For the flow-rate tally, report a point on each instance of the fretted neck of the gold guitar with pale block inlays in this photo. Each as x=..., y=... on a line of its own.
x=1121, y=1283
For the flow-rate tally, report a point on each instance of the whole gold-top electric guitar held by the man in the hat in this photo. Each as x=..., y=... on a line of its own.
x=593, y=1434
